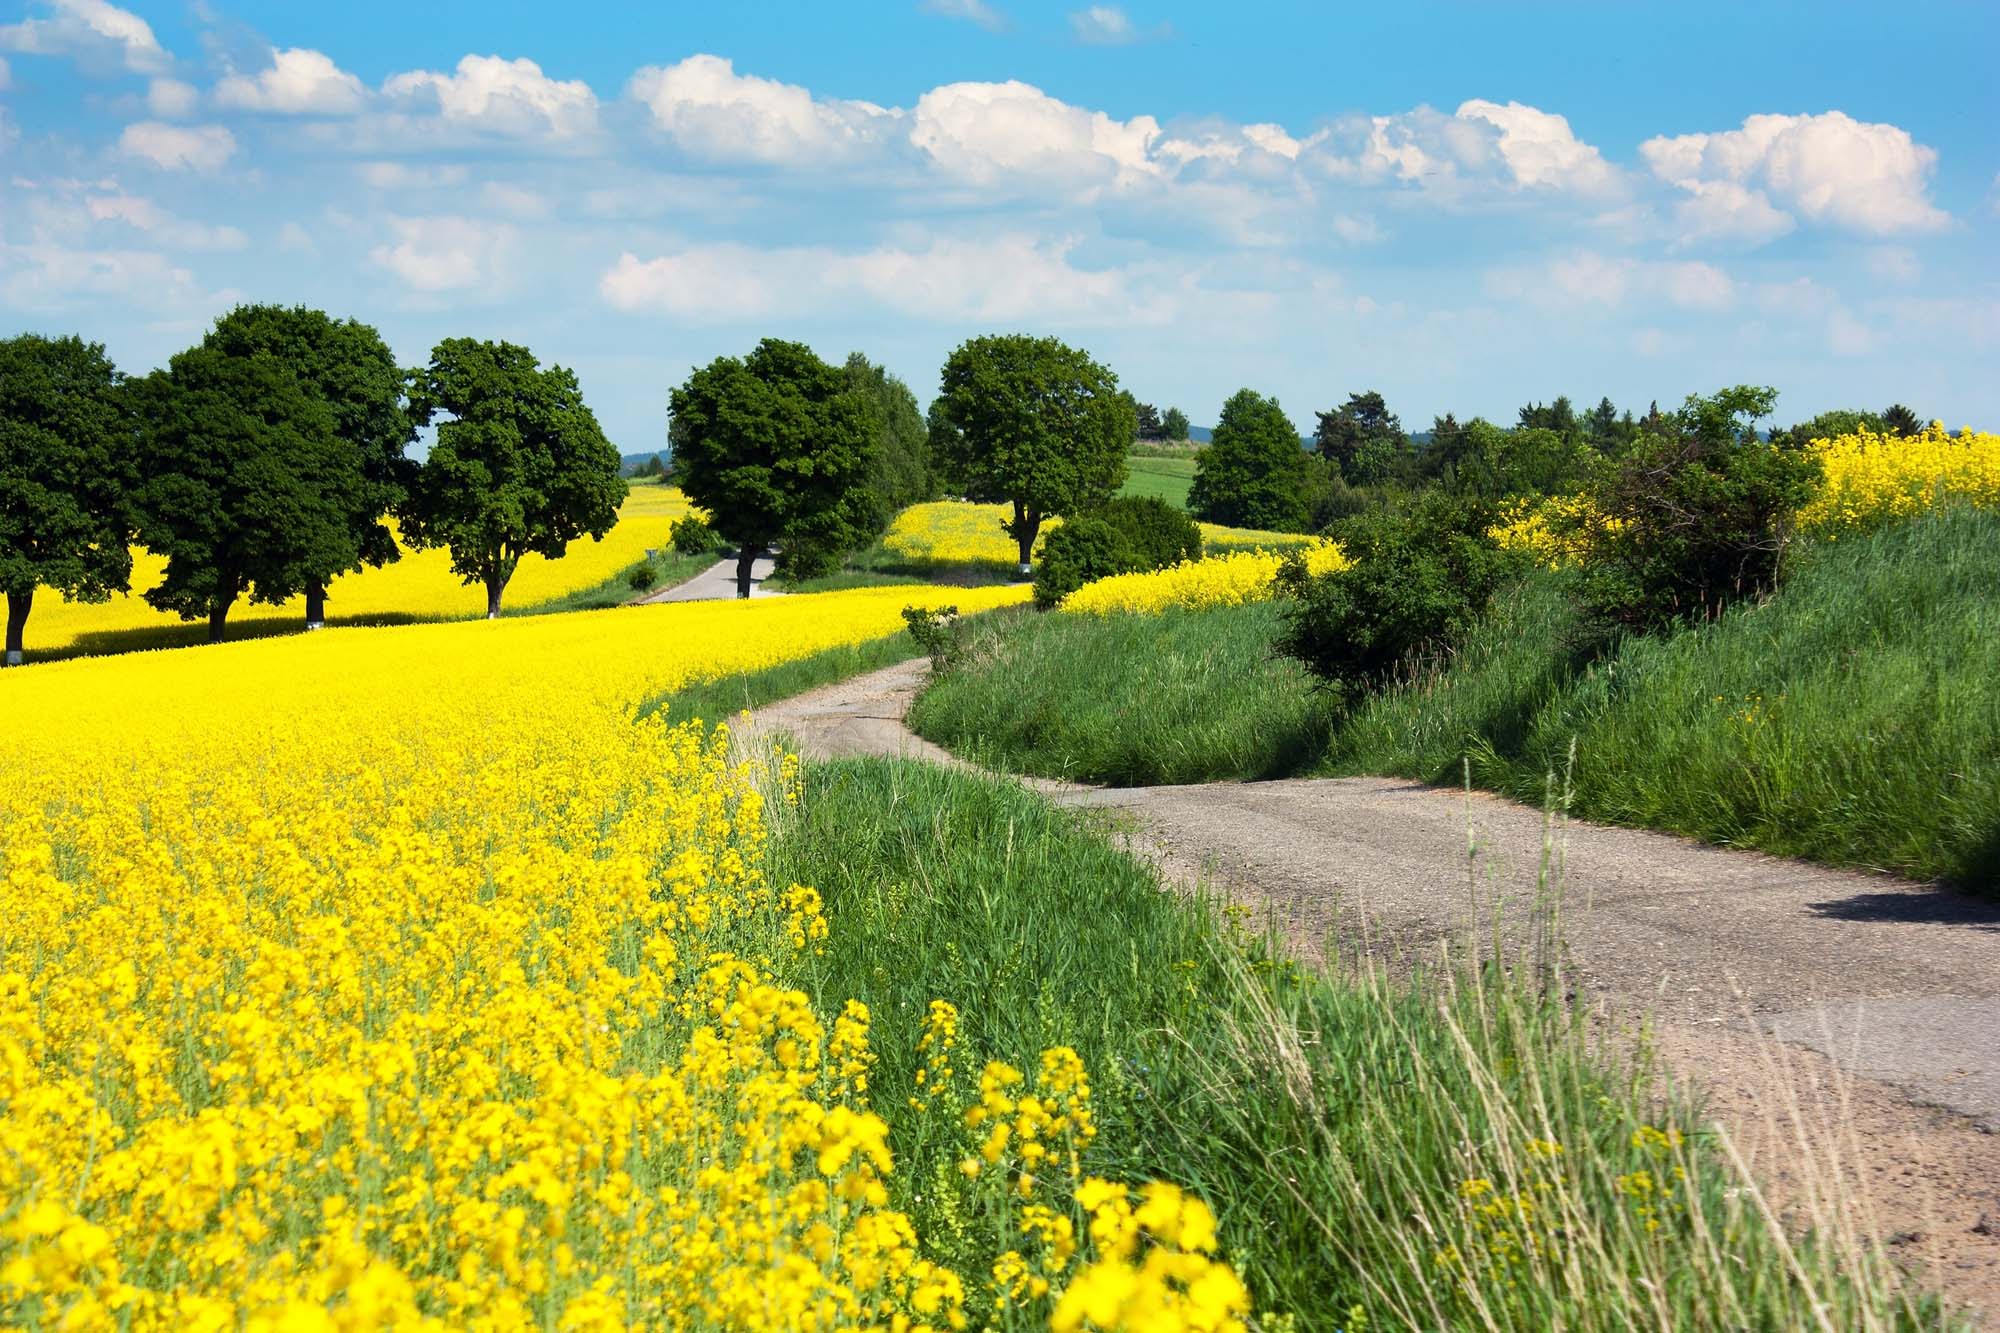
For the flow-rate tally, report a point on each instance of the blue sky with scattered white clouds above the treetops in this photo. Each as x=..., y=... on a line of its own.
x=1461, y=205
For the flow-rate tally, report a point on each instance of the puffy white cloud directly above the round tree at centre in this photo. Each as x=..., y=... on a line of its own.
x=991, y=133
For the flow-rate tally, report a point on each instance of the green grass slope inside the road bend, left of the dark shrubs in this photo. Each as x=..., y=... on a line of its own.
x=1183, y=698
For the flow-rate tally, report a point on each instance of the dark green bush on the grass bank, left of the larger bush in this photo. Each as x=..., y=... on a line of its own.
x=1421, y=577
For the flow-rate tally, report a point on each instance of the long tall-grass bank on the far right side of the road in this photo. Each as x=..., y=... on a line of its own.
x=1853, y=720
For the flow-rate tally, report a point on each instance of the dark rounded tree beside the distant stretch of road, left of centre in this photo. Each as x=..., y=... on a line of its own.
x=779, y=447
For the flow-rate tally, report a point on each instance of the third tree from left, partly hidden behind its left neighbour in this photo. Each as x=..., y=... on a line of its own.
x=349, y=369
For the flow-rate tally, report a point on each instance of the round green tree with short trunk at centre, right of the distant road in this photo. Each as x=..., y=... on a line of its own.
x=1037, y=425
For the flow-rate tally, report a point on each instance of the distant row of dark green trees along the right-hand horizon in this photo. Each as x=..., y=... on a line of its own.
x=1255, y=473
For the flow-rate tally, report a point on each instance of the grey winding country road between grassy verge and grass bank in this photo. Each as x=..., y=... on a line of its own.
x=1839, y=1026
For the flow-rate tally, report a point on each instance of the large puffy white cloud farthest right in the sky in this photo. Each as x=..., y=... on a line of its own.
x=1829, y=167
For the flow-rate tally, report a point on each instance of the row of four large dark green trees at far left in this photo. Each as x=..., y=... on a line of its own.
x=273, y=457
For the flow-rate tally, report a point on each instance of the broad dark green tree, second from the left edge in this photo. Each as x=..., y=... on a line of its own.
x=245, y=483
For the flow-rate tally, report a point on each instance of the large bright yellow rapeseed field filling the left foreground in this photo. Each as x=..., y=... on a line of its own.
x=403, y=978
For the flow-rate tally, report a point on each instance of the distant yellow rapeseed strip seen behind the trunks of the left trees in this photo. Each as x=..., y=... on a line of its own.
x=421, y=585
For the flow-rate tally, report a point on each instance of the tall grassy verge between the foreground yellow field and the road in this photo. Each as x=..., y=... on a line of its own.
x=1435, y=1154
